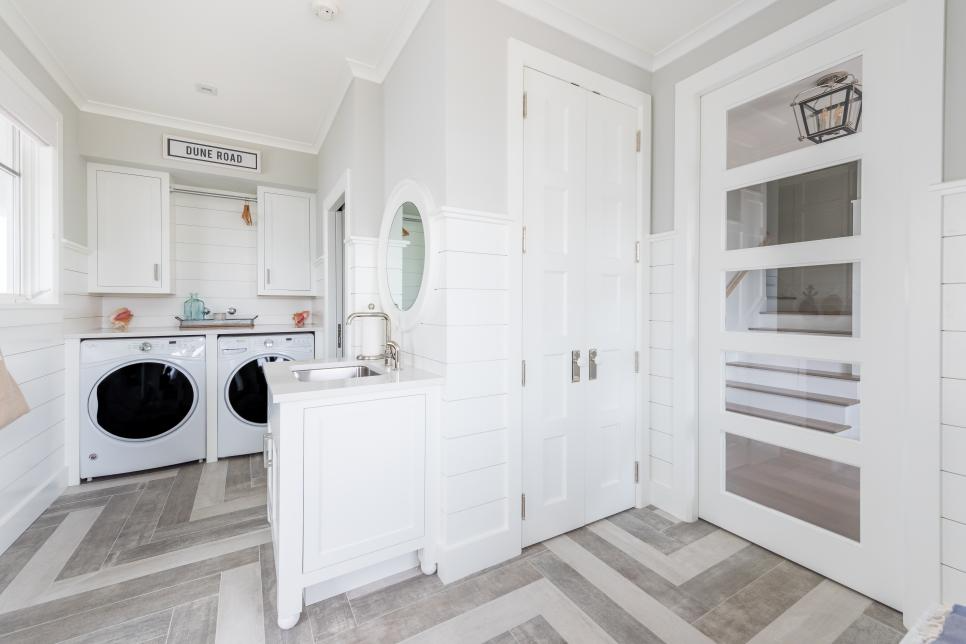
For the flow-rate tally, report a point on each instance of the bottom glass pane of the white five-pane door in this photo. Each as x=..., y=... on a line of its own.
x=816, y=490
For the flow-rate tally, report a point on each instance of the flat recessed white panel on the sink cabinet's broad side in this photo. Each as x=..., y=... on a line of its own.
x=365, y=481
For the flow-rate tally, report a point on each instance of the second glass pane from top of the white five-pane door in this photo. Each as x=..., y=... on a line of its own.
x=816, y=205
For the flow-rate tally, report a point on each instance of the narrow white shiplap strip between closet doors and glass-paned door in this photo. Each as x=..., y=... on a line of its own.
x=661, y=370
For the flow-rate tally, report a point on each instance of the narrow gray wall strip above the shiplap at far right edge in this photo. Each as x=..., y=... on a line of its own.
x=954, y=163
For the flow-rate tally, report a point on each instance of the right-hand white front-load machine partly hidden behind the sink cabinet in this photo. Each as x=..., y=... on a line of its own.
x=243, y=393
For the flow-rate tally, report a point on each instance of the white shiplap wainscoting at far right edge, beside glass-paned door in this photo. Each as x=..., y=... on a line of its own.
x=953, y=394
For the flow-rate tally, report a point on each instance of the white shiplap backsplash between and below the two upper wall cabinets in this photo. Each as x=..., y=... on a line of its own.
x=215, y=256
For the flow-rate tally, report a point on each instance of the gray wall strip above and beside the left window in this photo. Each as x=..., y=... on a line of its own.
x=75, y=183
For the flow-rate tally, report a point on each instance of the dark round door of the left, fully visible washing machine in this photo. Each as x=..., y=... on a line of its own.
x=142, y=401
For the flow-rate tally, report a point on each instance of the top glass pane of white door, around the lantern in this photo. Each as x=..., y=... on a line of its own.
x=766, y=127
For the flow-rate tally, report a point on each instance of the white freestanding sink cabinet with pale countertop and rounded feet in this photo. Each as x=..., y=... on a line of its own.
x=353, y=480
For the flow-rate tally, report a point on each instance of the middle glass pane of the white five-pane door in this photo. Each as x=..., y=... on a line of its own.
x=820, y=299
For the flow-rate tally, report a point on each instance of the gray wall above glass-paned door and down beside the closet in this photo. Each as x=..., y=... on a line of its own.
x=758, y=26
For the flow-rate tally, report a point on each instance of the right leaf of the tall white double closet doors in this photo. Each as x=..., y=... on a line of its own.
x=611, y=312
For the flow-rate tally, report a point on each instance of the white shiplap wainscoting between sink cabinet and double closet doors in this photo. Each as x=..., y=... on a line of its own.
x=464, y=334
